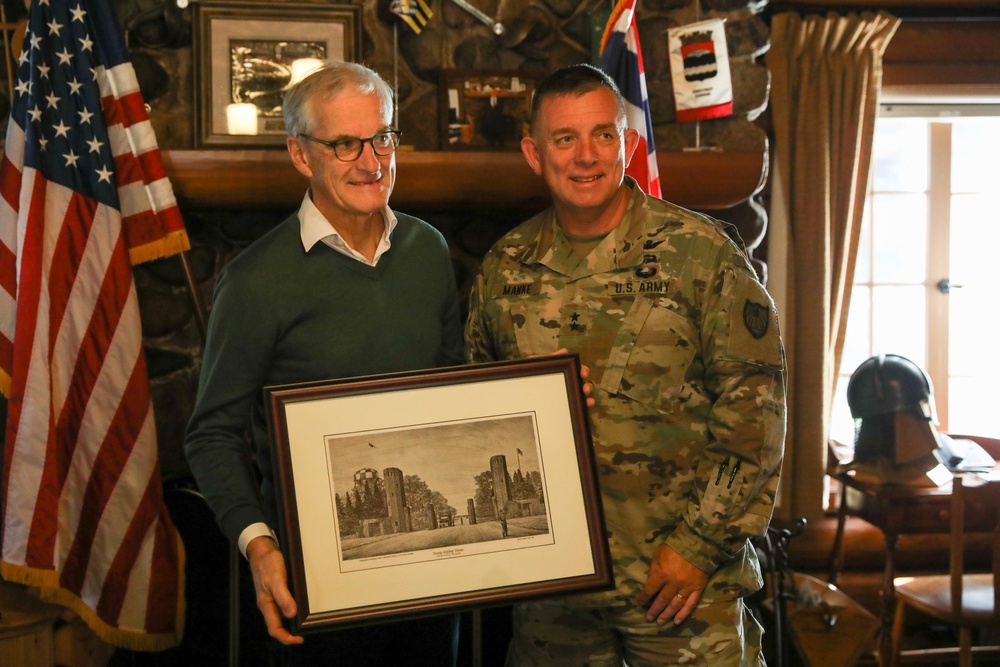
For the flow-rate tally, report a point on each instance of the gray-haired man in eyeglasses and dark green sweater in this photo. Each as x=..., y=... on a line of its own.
x=345, y=287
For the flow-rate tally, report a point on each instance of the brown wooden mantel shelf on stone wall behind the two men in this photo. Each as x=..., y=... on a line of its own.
x=265, y=179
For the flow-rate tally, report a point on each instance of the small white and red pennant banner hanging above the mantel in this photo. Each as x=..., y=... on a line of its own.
x=699, y=69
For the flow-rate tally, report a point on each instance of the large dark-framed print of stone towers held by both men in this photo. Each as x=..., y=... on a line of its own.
x=425, y=492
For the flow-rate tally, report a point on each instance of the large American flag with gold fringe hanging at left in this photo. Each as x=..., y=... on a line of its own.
x=84, y=196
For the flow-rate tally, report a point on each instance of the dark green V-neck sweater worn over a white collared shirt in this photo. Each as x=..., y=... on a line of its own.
x=282, y=315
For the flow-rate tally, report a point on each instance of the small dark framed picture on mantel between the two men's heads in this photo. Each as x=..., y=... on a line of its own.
x=484, y=110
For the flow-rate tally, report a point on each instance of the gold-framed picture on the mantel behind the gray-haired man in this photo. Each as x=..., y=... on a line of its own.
x=247, y=56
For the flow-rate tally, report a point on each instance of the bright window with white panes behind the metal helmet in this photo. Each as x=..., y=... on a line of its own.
x=926, y=283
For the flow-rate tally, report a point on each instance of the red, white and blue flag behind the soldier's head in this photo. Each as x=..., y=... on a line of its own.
x=621, y=58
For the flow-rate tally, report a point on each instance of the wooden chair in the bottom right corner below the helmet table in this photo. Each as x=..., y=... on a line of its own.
x=958, y=598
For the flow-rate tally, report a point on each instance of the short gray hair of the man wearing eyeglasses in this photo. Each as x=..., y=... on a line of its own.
x=325, y=83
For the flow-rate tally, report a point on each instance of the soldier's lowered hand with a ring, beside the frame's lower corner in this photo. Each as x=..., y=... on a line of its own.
x=673, y=588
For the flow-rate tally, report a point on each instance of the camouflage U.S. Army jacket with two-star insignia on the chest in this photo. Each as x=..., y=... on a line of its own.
x=688, y=369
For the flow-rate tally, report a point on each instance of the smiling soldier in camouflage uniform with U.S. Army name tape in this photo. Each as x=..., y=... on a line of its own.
x=687, y=366
